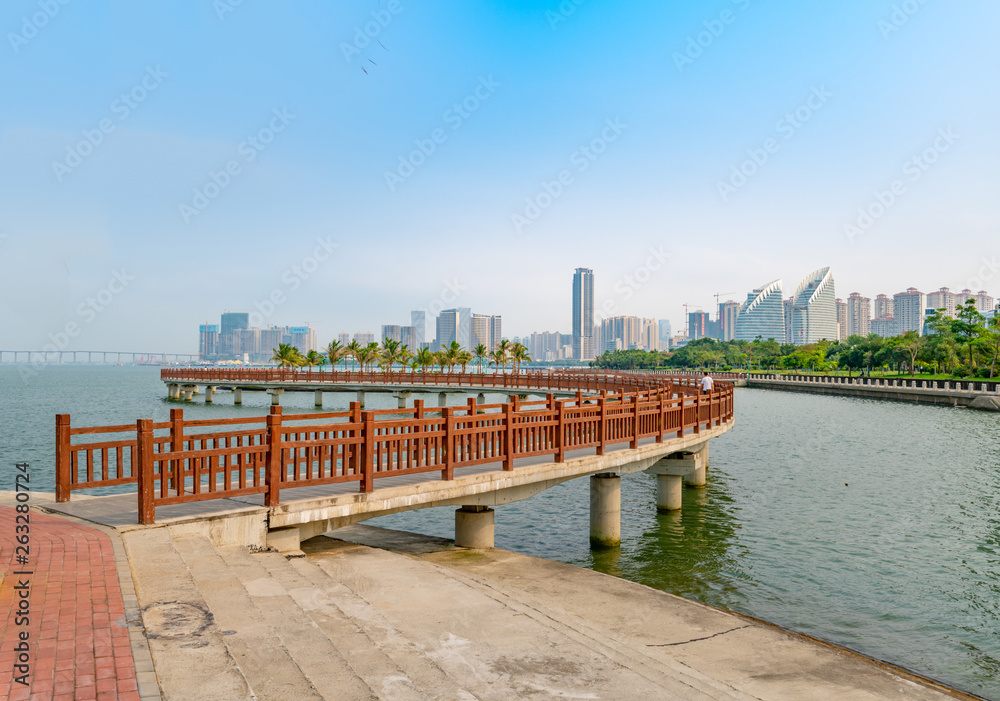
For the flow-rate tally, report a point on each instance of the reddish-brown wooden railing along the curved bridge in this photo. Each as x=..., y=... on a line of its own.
x=181, y=461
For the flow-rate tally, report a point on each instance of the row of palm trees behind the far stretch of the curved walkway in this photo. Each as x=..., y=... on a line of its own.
x=392, y=354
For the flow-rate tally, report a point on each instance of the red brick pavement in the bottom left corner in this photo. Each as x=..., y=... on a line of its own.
x=78, y=636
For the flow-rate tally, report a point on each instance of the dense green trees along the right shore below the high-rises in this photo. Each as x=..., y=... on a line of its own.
x=965, y=345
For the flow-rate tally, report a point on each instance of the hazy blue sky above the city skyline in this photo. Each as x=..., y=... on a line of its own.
x=165, y=161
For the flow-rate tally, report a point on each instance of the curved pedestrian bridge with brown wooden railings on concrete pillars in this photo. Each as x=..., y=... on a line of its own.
x=277, y=479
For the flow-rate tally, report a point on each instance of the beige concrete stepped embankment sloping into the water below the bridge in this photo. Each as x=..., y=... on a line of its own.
x=370, y=613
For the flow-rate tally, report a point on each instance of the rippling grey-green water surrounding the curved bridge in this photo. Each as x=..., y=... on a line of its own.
x=869, y=524
